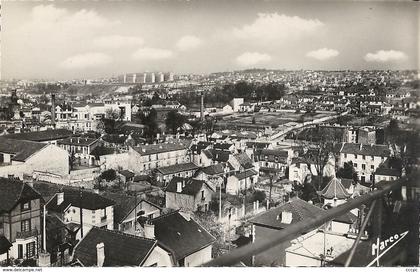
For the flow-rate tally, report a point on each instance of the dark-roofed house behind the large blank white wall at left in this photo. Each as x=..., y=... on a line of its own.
x=81, y=148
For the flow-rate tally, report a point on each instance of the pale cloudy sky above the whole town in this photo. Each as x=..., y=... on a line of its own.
x=91, y=39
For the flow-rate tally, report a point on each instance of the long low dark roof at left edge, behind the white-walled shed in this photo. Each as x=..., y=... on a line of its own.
x=41, y=136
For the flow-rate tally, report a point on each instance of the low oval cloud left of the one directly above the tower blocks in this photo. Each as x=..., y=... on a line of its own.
x=86, y=60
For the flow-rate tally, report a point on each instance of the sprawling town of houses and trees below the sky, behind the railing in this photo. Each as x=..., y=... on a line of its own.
x=178, y=184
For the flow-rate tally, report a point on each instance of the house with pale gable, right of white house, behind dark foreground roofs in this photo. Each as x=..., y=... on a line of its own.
x=128, y=209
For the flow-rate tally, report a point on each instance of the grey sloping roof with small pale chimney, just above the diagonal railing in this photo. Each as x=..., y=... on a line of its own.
x=299, y=208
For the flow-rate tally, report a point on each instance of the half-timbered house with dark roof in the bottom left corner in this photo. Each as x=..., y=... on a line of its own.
x=20, y=220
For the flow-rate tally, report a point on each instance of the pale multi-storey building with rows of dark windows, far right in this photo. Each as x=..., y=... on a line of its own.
x=365, y=158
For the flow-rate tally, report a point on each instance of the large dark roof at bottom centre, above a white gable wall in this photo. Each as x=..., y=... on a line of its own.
x=183, y=236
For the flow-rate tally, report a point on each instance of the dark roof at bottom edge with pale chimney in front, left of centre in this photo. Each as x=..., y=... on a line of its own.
x=120, y=249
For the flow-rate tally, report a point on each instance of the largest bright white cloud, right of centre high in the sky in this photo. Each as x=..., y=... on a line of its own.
x=274, y=26
